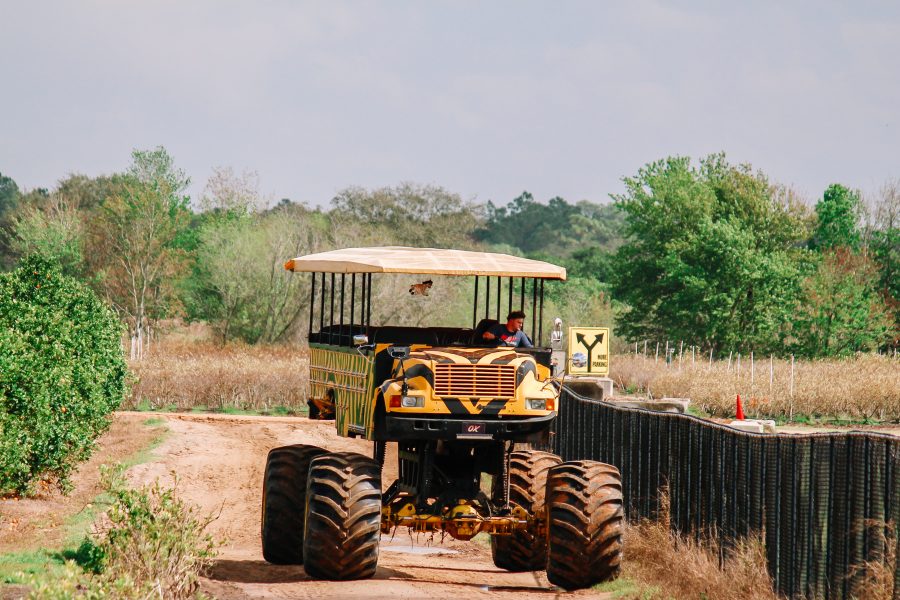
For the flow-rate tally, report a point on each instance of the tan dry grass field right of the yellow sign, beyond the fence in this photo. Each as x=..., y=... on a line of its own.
x=862, y=388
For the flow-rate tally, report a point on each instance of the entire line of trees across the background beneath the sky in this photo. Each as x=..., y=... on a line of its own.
x=711, y=253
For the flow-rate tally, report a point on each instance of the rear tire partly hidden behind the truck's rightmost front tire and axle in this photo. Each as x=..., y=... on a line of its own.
x=524, y=550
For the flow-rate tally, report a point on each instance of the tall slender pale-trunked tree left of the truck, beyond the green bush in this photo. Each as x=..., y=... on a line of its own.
x=133, y=242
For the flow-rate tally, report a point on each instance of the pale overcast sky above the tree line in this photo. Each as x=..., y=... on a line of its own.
x=483, y=98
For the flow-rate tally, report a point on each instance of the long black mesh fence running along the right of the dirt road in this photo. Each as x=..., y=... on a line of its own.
x=824, y=502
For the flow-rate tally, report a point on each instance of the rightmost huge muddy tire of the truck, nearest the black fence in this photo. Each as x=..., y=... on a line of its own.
x=585, y=519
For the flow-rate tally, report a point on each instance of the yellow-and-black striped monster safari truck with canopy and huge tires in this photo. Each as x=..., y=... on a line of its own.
x=462, y=413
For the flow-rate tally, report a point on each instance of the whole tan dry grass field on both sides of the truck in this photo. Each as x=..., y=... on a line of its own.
x=187, y=375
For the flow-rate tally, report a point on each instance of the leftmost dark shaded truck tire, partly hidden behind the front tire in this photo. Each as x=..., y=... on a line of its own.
x=284, y=497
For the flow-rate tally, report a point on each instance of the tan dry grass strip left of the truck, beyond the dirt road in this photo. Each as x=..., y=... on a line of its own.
x=184, y=375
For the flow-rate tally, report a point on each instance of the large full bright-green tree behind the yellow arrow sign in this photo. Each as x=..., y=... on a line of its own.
x=710, y=255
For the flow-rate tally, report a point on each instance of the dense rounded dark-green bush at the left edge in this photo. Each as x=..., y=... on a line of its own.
x=62, y=372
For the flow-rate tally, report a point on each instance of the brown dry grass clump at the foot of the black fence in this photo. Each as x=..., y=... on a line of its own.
x=665, y=565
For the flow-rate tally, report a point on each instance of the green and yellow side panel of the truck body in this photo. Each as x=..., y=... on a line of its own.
x=349, y=374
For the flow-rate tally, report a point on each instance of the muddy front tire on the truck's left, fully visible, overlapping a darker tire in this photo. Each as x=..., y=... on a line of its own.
x=343, y=516
